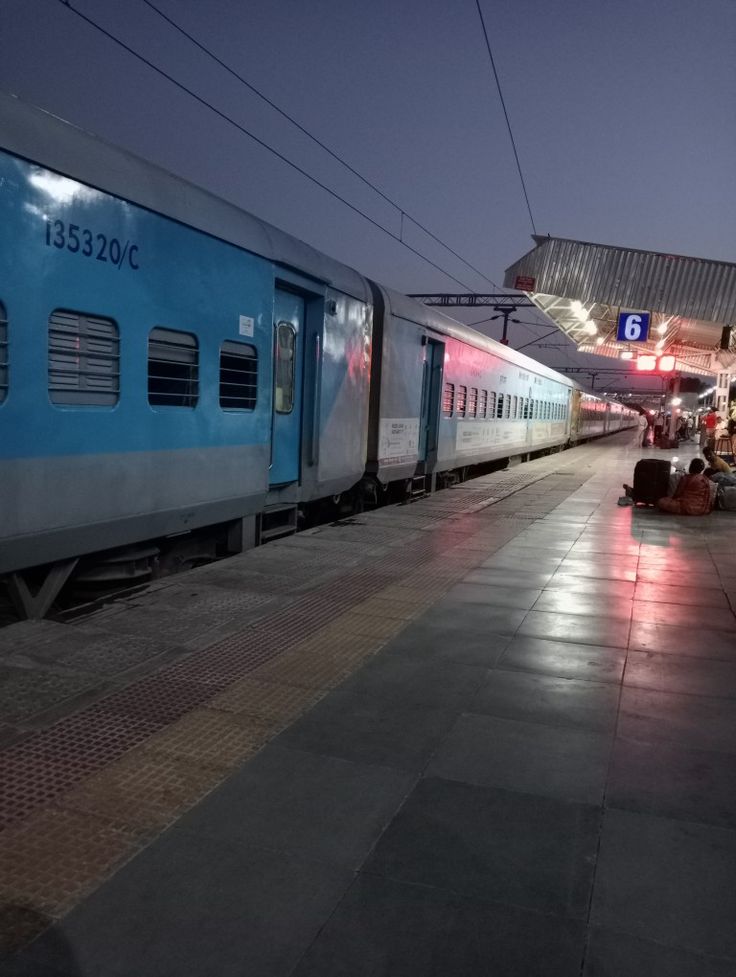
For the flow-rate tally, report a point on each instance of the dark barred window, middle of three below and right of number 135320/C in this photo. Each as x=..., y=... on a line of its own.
x=173, y=368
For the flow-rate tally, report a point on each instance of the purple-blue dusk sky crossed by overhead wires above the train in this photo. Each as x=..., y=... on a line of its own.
x=624, y=116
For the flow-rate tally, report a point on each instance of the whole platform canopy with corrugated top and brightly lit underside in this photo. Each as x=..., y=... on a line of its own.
x=583, y=287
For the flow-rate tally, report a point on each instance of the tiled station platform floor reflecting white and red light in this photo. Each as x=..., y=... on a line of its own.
x=488, y=733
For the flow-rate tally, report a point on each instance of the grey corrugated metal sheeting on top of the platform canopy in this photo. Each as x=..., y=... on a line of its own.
x=672, y=284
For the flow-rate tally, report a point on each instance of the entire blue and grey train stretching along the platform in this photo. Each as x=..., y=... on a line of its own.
x=179, y=380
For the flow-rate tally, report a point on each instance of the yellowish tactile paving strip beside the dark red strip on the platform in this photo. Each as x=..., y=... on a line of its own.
x=64, y=851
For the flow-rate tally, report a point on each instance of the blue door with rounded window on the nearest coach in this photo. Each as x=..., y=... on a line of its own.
x=286, y=420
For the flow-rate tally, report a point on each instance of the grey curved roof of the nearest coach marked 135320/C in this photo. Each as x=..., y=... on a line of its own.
x=42, y=138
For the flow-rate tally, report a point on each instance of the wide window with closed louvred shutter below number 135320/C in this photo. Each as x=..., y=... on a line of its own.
x=84, y=360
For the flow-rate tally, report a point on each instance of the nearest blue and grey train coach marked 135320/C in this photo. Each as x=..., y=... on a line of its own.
x=167, y=362
